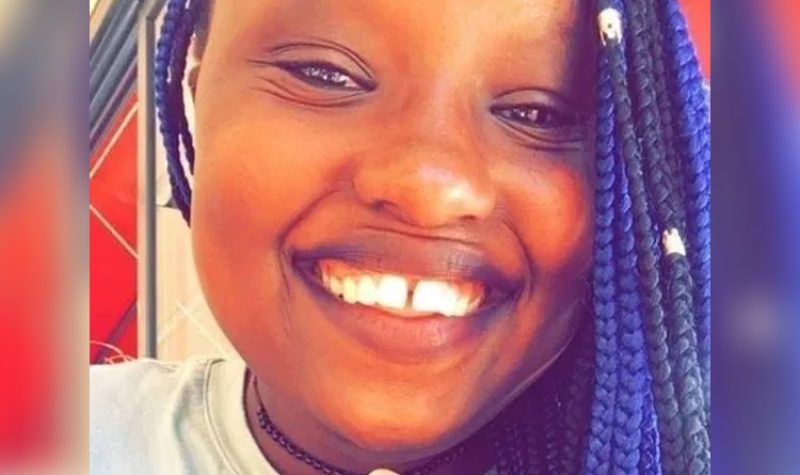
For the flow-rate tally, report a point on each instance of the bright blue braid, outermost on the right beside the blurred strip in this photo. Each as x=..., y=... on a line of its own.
x=694, y=121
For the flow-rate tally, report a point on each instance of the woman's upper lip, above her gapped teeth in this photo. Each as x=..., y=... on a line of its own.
x=395, y=253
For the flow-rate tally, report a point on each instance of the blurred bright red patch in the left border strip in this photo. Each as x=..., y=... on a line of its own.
x=32, y=263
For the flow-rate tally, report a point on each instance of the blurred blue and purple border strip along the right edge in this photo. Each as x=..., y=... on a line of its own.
x=756, y=232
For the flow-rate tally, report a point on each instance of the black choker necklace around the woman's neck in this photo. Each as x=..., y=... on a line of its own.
x=294, y=450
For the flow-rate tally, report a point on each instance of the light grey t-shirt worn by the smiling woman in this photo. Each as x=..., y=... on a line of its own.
x=156, y=418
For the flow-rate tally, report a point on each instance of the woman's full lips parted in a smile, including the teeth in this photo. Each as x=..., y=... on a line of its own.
x=406, y=296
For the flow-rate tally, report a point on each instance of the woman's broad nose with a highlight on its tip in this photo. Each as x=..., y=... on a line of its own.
x=427, y=182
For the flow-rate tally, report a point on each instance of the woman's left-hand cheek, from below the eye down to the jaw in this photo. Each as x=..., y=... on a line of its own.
x=257, y=172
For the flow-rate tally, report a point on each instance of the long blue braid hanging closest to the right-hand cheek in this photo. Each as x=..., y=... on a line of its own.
x=598, y=460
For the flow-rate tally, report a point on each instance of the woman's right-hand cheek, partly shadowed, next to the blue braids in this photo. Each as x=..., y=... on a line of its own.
x=551, y=208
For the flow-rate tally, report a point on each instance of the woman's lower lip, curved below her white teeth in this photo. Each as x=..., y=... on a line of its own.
x=399, y=338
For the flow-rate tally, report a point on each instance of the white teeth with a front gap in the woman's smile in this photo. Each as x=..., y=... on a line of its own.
x=400, y=294
